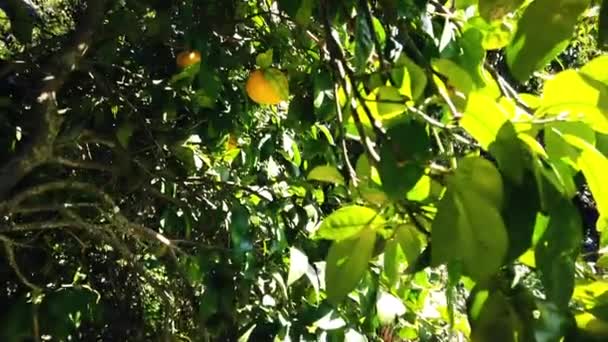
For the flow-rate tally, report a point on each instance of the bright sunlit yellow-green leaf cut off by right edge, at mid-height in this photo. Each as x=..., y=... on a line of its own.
x=593, y=164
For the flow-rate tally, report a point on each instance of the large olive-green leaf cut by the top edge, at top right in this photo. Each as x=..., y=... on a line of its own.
x=530, y=50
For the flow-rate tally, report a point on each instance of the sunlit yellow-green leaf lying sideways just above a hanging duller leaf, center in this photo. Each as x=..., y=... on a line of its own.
x=348, y=221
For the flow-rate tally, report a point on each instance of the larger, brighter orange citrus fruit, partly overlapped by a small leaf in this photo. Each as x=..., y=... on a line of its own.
x=267, y=86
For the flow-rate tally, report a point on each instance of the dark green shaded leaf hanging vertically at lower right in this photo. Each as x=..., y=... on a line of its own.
x=556, y=253
